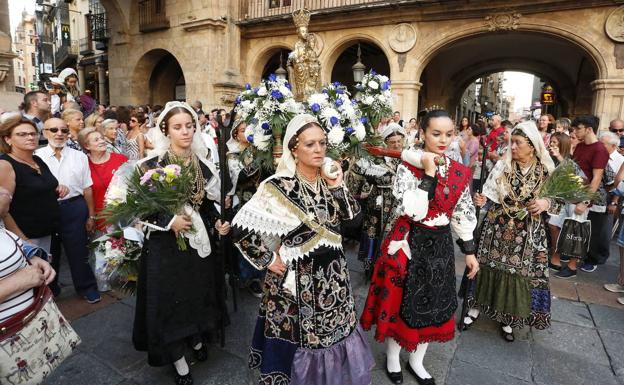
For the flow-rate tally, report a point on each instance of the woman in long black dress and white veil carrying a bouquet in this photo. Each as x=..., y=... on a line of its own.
x=180, y=293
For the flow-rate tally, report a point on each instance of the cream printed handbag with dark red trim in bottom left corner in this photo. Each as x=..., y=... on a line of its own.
x=35, y=341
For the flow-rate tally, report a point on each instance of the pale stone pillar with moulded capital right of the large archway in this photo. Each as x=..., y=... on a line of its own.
x=608, y=100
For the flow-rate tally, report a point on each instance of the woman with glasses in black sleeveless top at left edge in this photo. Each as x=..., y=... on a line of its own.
x=29, y=180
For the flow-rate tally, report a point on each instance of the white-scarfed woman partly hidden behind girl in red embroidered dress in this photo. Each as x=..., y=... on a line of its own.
x=380, y=200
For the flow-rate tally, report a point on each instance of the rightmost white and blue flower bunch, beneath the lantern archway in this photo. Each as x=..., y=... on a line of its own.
x=374, y=98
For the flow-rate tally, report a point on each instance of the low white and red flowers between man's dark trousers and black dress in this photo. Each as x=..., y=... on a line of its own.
x=117, y=258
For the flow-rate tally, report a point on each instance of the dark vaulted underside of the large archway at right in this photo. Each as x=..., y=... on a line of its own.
x=565, y=65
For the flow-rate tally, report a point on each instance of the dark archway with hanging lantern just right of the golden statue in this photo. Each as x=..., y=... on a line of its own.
x=371, y=56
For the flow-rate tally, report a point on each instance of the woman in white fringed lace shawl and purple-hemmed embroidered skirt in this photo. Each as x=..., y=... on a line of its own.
x=307, y=330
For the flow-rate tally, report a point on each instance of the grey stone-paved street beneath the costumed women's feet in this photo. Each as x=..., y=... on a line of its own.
x=585, y=344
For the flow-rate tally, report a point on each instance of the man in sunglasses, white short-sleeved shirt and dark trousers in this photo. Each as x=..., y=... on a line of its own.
x=71, y=168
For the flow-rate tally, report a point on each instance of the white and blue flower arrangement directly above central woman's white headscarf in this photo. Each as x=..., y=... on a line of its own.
x=340, y=117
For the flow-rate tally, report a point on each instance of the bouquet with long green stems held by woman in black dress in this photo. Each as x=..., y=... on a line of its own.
x=158, y=190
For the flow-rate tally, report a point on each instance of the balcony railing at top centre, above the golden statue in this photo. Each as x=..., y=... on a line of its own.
x=261, y=9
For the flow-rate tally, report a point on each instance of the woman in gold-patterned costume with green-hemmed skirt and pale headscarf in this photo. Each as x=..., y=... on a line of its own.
x=512, y=285
